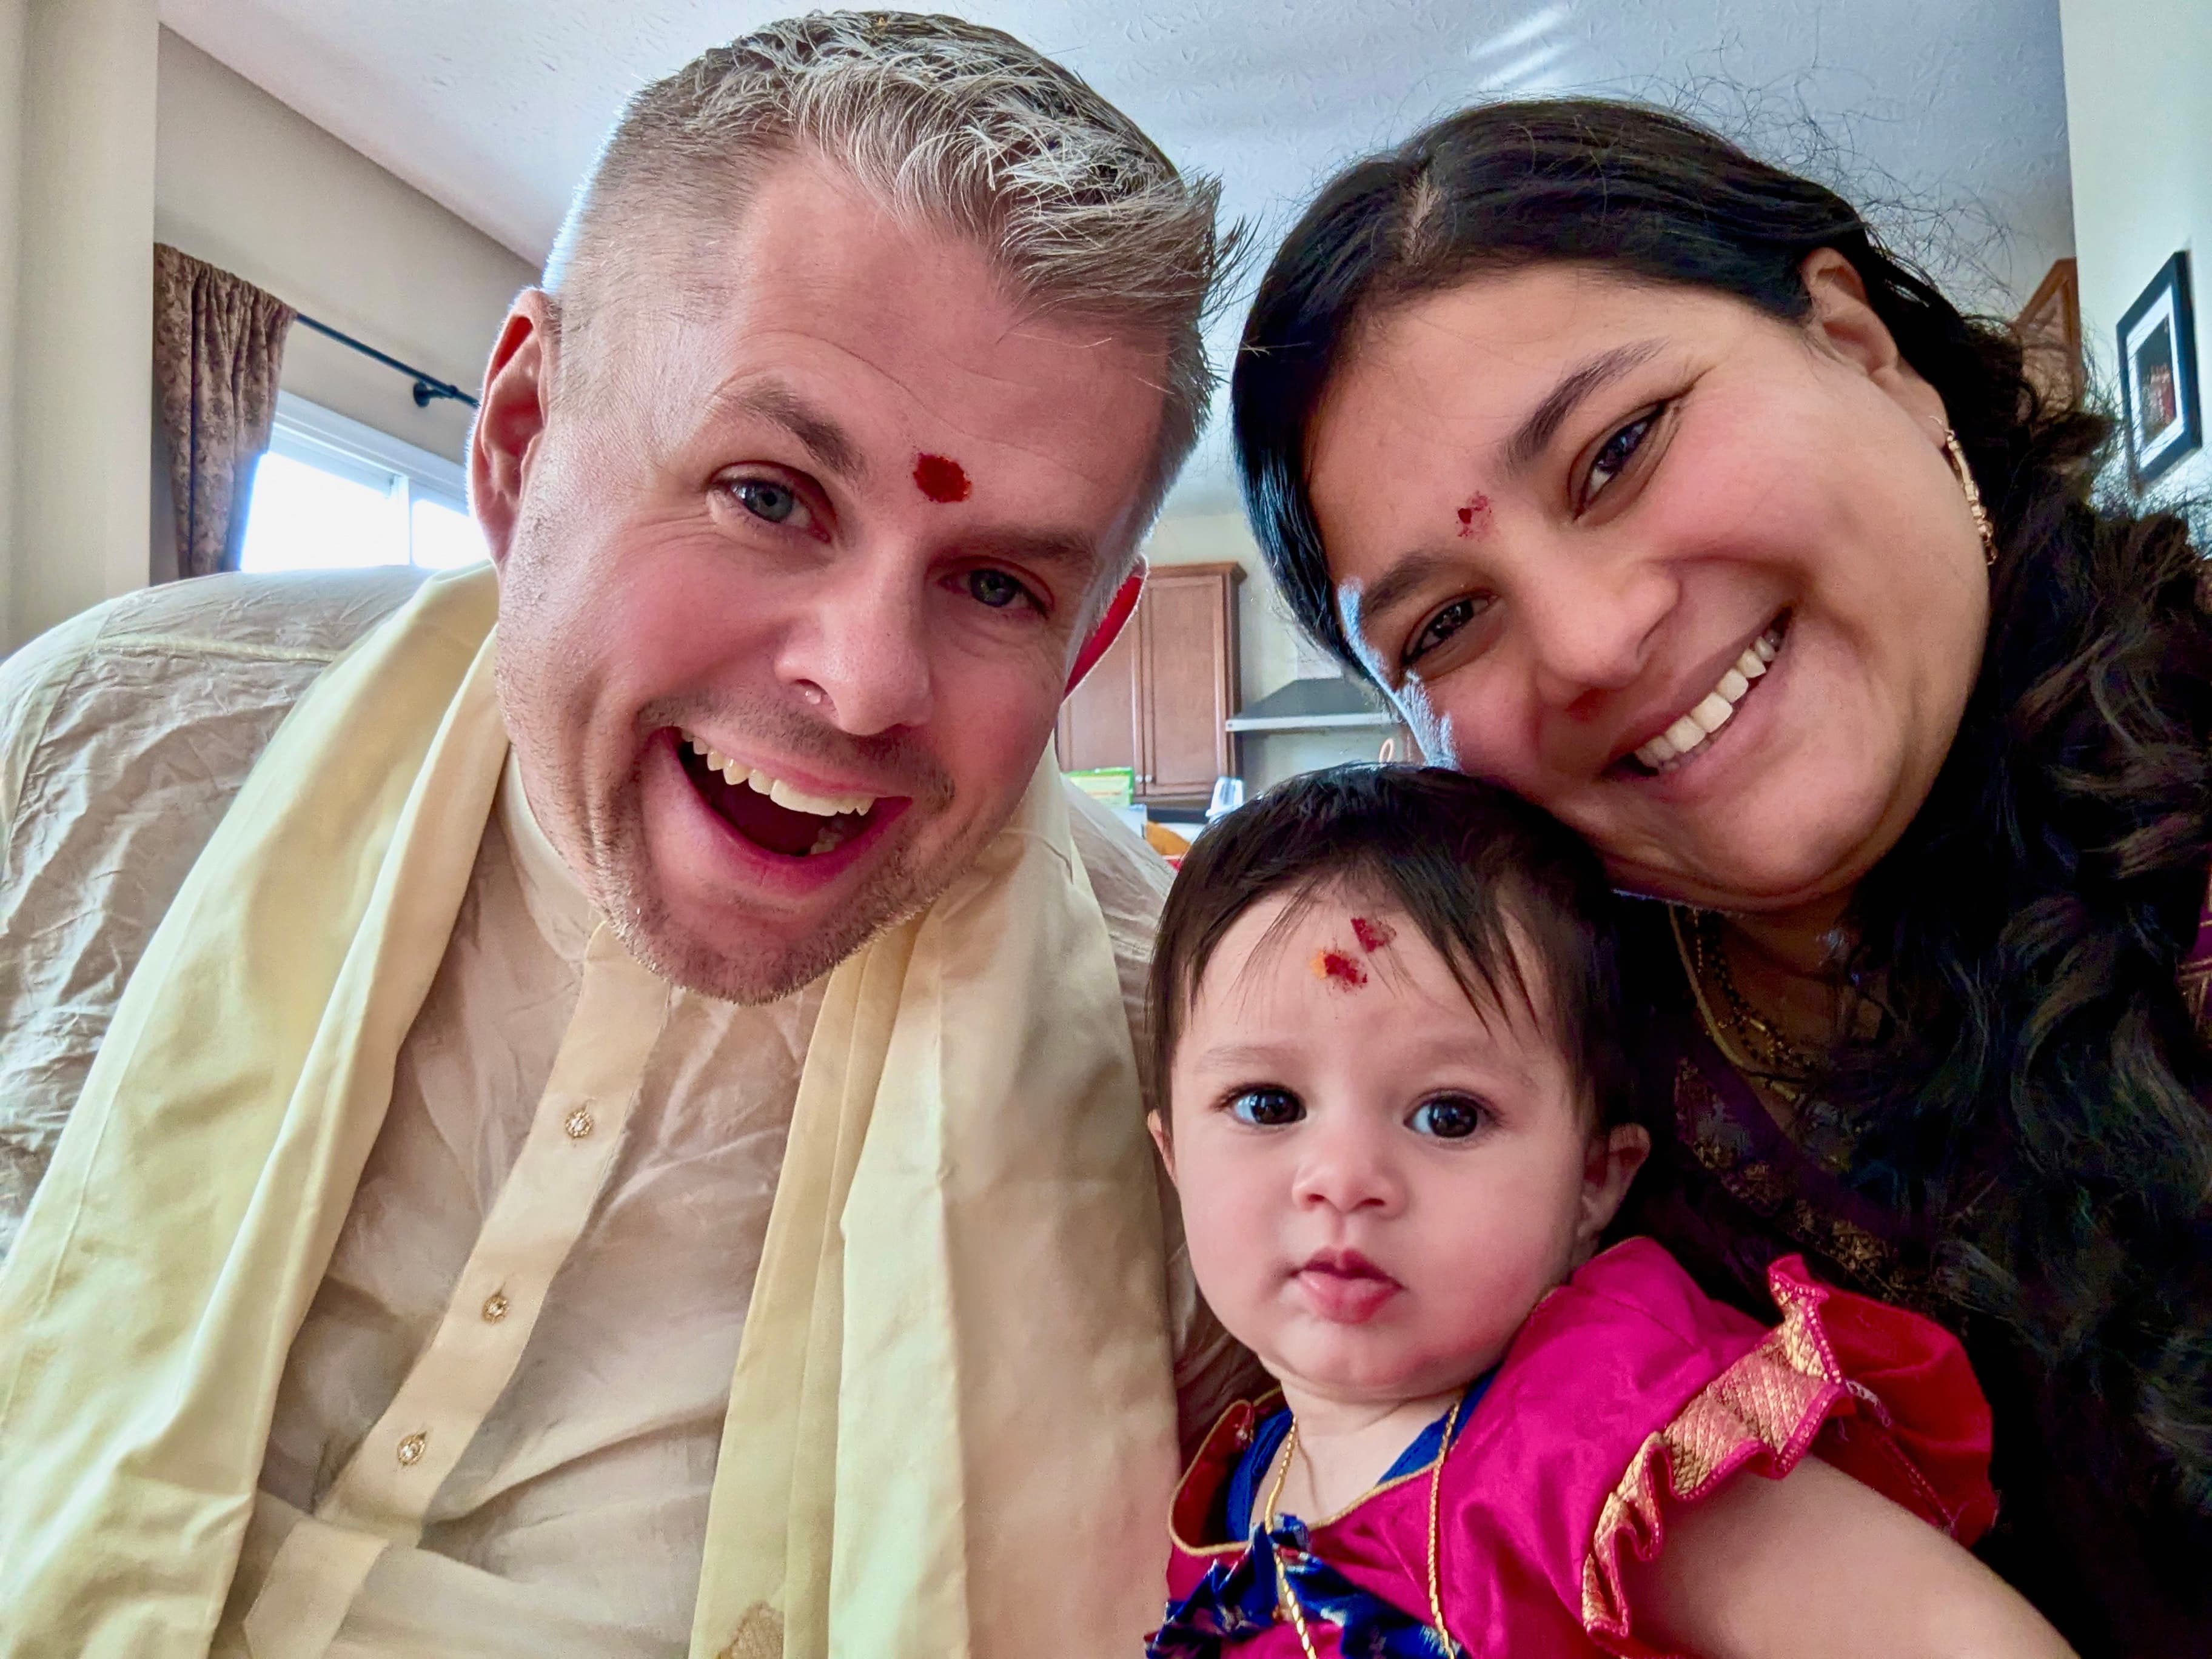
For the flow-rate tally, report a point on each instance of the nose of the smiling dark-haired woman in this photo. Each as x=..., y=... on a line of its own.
x=1589, y=623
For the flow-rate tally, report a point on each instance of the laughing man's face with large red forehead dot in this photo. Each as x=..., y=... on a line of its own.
x=824, y=517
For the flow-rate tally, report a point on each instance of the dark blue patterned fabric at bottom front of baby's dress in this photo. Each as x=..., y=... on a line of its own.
x=1238, y=1603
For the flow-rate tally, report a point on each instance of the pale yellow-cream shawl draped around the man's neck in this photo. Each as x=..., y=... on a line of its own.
x=952, y=1426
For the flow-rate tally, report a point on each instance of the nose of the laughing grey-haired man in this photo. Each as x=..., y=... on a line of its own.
x=862, y=654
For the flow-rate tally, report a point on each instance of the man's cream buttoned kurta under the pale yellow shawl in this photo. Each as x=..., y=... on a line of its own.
x=525, y=1339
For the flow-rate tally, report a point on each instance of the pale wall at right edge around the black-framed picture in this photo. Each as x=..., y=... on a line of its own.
x=2140, y=132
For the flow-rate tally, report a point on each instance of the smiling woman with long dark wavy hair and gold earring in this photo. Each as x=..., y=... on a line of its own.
x=1642, y=479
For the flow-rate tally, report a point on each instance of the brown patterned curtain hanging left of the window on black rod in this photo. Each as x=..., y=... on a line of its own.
x=218, y=344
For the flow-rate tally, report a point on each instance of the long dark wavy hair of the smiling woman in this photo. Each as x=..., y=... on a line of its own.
x=2036, y=1098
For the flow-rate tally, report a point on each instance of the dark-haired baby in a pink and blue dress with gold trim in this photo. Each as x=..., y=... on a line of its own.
x=1388, y=1034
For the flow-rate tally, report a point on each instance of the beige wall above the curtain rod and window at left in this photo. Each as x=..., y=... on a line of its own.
x=258, y=189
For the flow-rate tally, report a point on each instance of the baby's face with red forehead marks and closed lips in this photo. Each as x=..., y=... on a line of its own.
x=1379, y=1182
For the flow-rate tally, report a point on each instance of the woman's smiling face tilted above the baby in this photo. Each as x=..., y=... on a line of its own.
x=1572, y=514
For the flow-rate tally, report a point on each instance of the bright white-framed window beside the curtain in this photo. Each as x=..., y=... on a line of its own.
x=335, y=494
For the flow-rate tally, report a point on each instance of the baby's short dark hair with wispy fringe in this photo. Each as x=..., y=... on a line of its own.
x=1468, y=864
